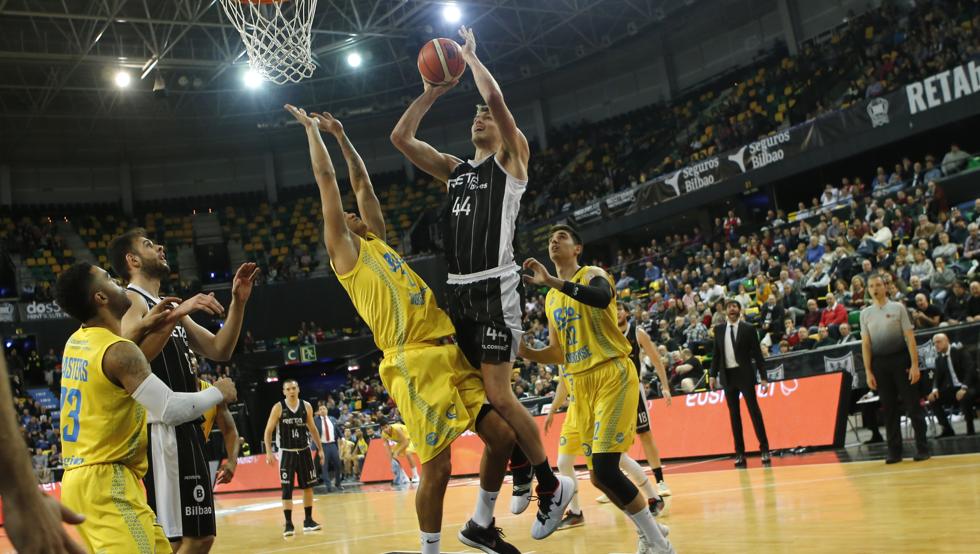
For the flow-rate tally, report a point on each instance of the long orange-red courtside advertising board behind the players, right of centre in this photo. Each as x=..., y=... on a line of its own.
x=797, y=412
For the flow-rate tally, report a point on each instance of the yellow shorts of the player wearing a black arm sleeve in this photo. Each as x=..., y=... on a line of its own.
x=605, y=407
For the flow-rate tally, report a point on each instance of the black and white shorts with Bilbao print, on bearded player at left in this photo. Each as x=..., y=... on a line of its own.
x=178, y=481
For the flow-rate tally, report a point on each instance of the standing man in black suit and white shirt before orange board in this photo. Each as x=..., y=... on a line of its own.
x=737, y=360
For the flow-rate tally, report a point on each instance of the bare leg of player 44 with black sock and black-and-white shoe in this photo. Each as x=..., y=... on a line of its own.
x=554, y=492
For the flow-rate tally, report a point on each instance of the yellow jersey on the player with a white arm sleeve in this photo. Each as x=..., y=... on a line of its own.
x=100, y=422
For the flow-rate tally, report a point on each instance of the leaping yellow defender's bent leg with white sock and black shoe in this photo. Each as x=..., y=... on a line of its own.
x=480, y=531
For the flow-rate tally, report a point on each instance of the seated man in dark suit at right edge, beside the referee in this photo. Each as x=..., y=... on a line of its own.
x=955, y=383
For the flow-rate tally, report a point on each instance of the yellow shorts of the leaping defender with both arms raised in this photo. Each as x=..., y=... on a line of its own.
x=437, y=392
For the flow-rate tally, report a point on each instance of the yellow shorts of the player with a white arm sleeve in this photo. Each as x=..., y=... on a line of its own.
x=117, y=517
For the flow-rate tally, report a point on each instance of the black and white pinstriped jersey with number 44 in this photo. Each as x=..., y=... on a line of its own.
x=479, y=222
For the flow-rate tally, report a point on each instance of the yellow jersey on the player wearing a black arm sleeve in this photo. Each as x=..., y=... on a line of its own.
x=588, y=336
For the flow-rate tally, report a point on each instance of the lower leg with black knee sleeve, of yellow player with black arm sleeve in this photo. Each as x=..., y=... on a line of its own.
x=608, y=478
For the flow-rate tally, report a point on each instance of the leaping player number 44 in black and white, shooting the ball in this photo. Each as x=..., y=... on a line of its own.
x=484, y=291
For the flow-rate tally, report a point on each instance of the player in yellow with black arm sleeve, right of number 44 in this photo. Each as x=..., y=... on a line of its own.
x=584, y=335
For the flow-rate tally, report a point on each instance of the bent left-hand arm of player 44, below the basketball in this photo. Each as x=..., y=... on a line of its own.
x=420, y=153
